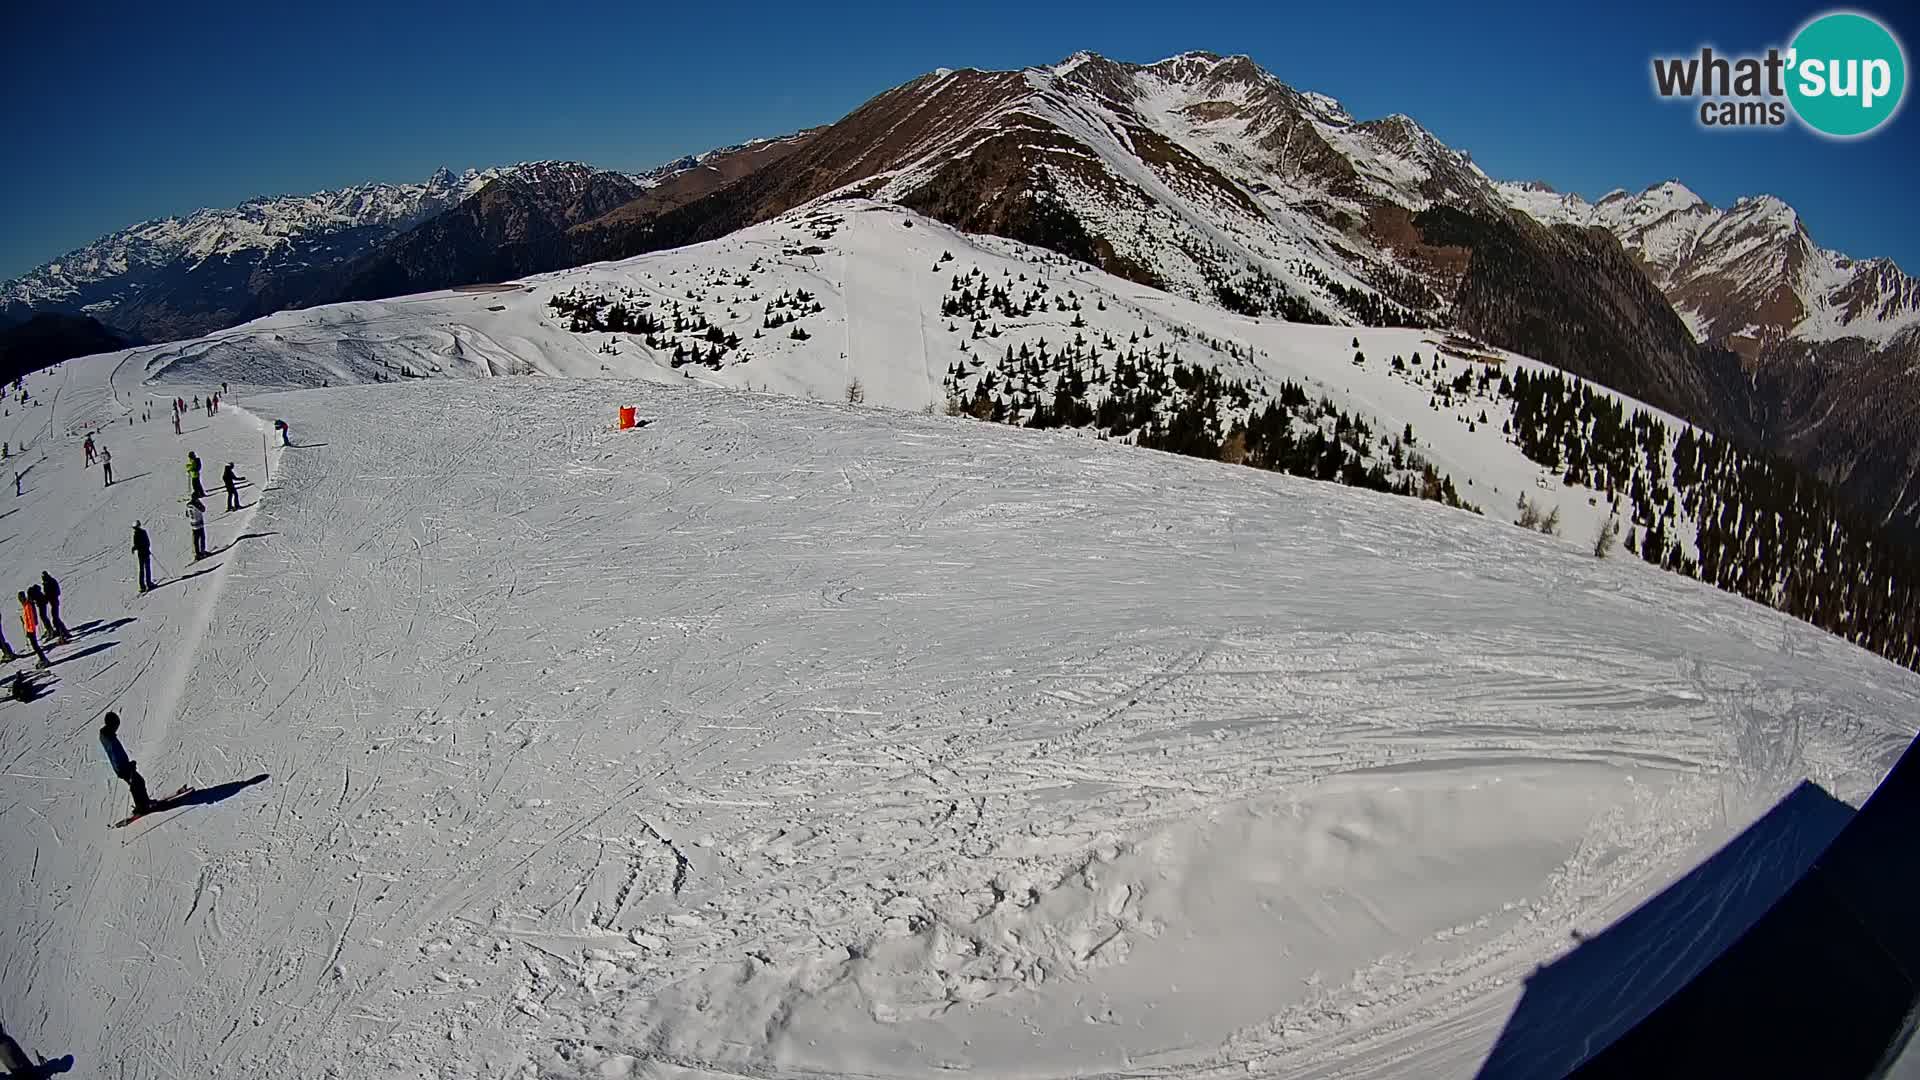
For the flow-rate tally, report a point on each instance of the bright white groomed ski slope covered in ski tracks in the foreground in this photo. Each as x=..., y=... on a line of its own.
x=782, y=739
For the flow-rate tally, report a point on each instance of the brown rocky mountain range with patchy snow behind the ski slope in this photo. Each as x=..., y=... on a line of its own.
x=1203, y=176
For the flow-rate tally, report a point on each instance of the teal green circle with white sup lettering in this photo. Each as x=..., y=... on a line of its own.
x=1848, y=74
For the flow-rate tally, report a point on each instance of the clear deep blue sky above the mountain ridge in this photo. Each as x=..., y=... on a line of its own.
x=122, y=112
